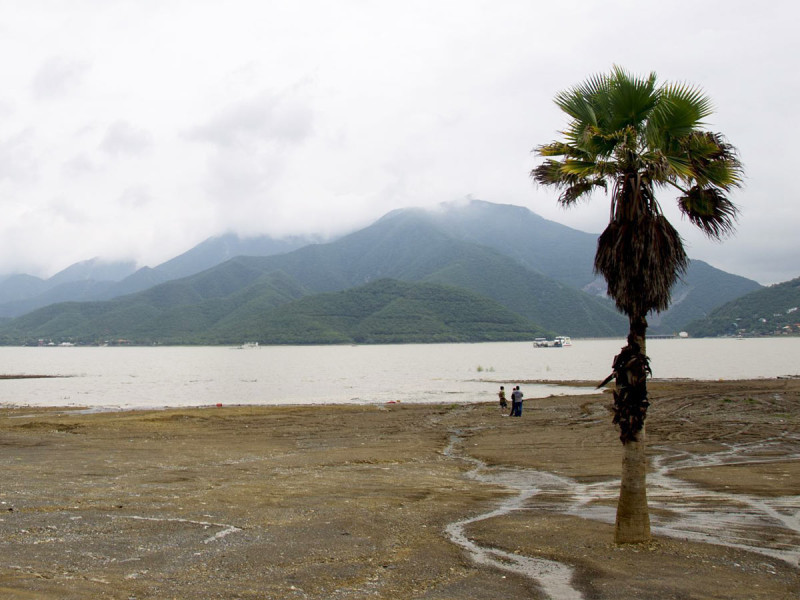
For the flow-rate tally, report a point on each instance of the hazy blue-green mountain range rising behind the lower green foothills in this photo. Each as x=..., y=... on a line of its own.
x=502, y=252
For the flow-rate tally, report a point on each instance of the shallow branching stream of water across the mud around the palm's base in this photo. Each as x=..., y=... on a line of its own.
x=768, y=526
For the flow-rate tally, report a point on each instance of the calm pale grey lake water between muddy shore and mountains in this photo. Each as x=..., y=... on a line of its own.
x=157, y=377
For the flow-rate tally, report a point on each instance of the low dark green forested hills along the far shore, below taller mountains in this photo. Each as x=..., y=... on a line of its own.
x=386, y=311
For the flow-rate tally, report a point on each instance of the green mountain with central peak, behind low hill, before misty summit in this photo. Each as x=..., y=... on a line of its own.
x=402, y=246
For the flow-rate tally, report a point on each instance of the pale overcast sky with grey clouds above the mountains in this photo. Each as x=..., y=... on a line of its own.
x=135, y=130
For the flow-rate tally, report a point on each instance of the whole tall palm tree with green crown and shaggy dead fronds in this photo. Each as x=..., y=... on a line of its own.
x=640, y=137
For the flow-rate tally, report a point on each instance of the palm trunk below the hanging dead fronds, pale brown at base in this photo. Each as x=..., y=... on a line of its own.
x=630, y=405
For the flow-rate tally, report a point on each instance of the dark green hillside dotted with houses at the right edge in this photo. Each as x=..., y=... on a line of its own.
x=774, y=310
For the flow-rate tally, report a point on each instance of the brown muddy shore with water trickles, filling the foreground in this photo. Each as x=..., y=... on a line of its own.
x=403, y=501
